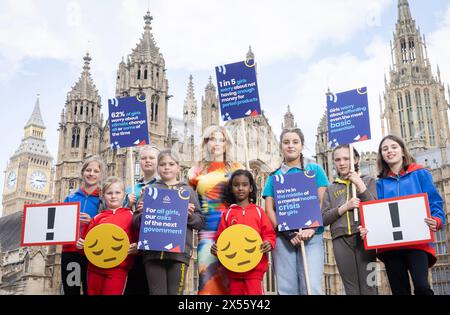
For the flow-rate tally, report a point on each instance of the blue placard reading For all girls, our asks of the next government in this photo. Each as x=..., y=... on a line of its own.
x=164, y=220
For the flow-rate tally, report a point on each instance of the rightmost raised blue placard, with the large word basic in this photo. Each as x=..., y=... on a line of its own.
x=348, y=117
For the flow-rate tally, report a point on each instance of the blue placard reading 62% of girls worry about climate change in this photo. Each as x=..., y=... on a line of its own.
x=128, y=122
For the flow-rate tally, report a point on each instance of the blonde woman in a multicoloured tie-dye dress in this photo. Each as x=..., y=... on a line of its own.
x=209, y=179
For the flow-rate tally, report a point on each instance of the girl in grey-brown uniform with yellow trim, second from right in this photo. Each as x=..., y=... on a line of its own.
x=337, y=211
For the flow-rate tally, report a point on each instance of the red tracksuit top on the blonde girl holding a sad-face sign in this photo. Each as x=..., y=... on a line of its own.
x=121, y=217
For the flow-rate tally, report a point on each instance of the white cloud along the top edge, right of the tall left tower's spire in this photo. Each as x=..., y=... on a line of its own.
x=210, y=34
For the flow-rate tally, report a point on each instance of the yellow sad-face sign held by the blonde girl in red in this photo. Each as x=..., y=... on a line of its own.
x=106, y=246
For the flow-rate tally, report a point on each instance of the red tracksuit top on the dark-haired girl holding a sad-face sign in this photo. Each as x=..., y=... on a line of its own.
x=255, y=217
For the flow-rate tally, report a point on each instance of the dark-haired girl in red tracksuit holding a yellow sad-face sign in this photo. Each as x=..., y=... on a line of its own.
x=241, y=193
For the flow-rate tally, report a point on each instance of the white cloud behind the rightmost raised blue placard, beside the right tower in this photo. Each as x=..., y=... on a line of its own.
x=340, y=73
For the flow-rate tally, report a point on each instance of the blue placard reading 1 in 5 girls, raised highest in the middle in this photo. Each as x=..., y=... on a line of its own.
x=238, y=90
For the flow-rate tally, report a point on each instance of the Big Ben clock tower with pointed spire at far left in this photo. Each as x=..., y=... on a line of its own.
x=29, y=173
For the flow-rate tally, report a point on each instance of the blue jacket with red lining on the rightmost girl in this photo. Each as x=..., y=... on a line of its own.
x=415, y=180
